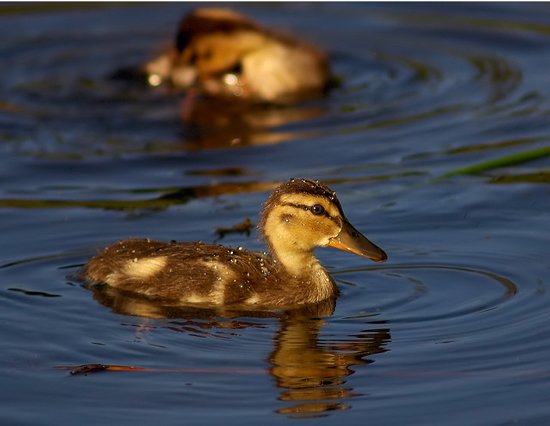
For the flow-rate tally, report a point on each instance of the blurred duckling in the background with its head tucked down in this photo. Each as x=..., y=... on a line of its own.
x=230, y=55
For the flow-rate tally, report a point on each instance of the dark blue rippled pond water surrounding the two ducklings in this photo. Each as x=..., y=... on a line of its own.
x=437, y=143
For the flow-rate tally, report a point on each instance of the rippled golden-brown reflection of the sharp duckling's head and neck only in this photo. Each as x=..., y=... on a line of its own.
x=313, y=376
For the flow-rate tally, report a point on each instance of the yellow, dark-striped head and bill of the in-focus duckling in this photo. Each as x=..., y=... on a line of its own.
x=303, y=214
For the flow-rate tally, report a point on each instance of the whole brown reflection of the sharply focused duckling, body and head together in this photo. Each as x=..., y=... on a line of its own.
x=310, y=373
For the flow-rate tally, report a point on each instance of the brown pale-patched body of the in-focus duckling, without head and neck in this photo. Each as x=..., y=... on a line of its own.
x=186, y=273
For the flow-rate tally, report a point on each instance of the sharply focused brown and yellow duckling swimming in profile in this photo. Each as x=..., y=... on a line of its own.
x=298, y=216
